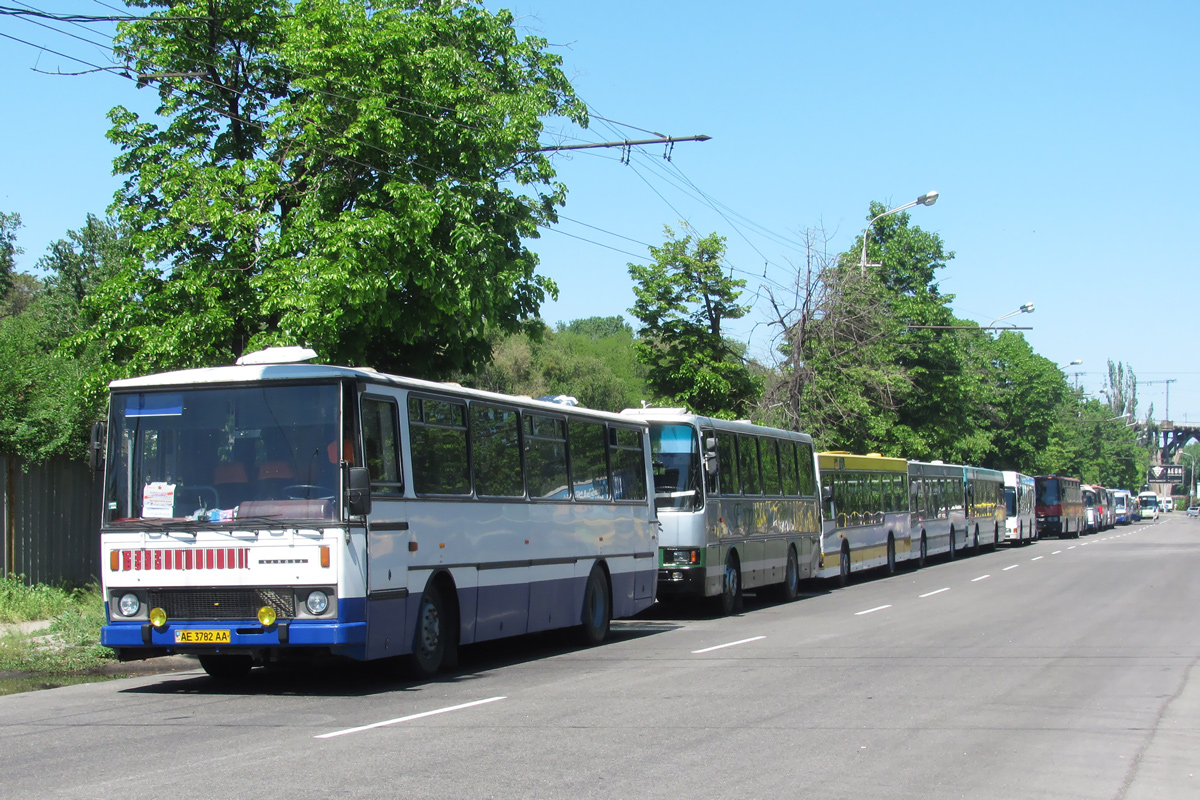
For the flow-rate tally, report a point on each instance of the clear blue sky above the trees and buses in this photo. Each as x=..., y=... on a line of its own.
x=1061, y=137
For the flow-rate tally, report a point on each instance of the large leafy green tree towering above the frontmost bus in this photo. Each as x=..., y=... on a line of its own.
x=353, y=177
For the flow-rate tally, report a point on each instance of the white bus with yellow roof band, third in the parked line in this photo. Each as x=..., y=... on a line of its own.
x=866, y=521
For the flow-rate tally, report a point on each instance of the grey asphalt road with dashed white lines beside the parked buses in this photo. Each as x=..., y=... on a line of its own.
x=1063, y=670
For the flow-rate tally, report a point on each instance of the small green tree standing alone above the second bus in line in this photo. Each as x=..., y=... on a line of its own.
x=683, y=298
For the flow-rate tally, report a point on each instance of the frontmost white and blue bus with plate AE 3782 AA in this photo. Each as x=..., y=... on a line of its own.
x=279, y=509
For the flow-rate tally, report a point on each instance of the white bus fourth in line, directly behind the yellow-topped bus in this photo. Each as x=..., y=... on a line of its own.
x=937, y=507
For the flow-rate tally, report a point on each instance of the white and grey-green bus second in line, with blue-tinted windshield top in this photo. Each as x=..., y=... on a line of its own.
x=739, y=507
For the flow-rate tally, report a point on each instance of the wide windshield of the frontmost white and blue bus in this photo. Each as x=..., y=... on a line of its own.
x=218, y=455
